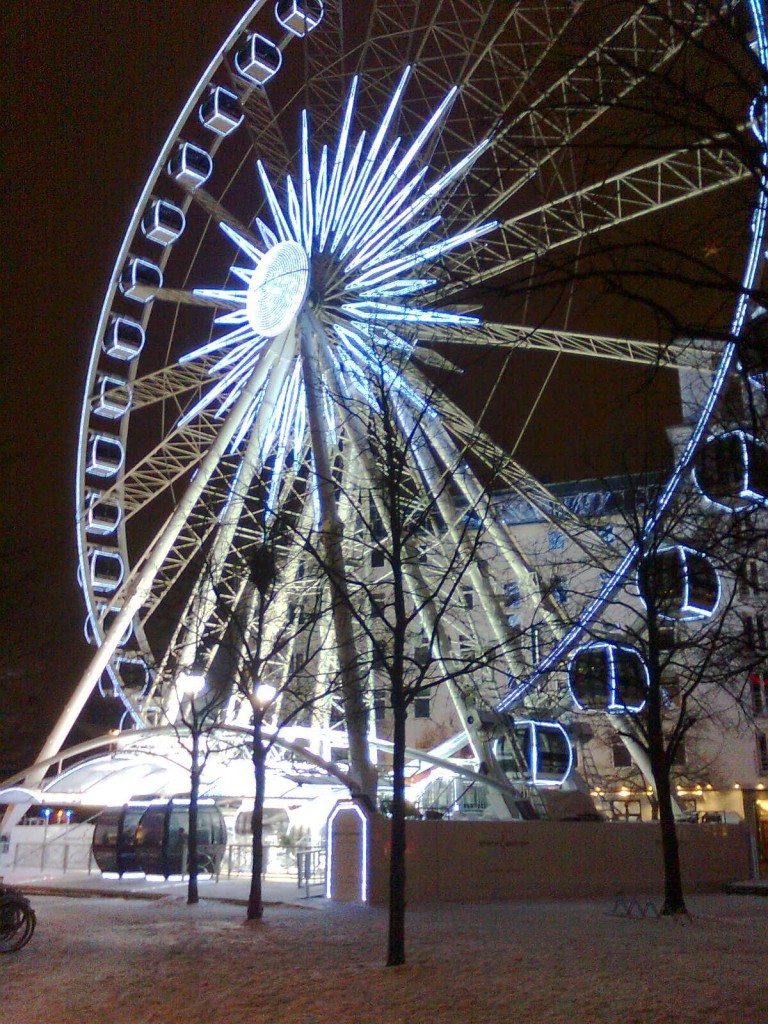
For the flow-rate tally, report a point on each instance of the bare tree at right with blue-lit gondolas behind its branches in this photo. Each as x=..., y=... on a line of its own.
x=669, y=657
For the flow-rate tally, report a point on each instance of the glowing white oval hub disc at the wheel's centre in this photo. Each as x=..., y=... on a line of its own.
x=278, y=289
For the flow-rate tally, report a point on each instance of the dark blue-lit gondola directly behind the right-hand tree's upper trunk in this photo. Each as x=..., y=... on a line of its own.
x=680, y=583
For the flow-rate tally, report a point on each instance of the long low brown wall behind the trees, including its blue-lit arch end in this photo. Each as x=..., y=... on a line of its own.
x=468, y=862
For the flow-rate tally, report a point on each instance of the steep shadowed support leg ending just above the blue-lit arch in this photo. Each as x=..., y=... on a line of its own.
x=353, y=687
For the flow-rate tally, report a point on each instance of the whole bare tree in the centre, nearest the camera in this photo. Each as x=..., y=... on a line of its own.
x=418, y=539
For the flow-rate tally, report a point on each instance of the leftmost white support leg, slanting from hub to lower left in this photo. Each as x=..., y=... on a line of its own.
x=138, y=587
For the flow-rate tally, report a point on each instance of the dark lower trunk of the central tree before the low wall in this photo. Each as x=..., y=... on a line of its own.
x=397, y=942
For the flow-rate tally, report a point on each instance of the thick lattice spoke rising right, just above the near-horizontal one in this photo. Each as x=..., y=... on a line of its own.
x=659, y=185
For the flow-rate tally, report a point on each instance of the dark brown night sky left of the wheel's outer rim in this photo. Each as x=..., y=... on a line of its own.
x=94, y=90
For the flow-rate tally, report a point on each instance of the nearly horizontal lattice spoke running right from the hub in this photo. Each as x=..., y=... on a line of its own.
x=674, y=356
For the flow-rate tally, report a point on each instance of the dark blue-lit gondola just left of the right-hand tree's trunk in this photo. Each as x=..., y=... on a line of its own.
x=608, y=677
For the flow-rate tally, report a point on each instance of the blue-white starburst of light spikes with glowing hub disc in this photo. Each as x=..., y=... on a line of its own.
x=349, y=242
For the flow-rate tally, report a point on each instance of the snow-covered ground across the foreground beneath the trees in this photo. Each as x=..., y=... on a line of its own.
x=98, y=961
